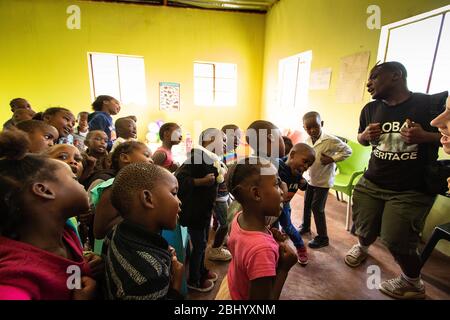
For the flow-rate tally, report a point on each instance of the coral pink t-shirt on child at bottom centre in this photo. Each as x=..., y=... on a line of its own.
x=255, y=255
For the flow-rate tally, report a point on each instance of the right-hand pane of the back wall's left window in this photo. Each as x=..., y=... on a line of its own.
x=132, y=80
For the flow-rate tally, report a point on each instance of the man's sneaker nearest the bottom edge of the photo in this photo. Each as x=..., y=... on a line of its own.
x=400, y=288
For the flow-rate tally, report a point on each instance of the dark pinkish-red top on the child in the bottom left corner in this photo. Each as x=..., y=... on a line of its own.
x=30, y=273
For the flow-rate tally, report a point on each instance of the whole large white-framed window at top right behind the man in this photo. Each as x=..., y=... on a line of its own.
x=422, y=45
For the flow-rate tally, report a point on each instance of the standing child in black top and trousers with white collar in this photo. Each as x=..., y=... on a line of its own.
x=198, y=179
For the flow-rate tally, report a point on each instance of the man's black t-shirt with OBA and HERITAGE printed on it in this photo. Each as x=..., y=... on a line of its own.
x=394, y=164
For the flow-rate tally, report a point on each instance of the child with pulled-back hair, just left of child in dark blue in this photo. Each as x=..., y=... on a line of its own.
x=63, y=120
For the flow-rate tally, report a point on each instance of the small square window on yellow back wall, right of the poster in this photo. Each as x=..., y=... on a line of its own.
x=215, y=84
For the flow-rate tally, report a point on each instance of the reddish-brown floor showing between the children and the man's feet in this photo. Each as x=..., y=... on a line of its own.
x=327, y=277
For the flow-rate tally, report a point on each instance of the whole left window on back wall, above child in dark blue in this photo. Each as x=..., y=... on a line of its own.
x=122, y=77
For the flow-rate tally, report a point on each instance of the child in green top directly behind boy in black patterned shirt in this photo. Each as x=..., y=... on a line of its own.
x=106, y=216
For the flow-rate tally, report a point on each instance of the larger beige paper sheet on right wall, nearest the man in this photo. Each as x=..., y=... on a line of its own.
x=352, y=78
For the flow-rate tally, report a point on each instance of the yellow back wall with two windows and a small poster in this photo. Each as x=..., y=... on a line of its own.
x=43, y=61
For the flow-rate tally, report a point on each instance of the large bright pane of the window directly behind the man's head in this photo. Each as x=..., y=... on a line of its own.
x=414, y=45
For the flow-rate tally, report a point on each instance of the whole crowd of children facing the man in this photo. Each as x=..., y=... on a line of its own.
x=66, y=189
